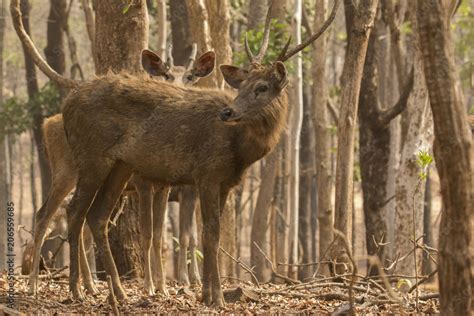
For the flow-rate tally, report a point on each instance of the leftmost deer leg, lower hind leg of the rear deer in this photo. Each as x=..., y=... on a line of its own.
x=58, y=192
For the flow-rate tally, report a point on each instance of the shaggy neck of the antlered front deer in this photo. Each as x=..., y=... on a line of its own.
x=262, y=133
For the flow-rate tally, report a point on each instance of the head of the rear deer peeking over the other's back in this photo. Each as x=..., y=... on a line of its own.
x=195, y=70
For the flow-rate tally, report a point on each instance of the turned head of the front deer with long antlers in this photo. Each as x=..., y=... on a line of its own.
x=260, y=86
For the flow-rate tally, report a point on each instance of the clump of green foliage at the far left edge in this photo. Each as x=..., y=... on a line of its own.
x=15, y=117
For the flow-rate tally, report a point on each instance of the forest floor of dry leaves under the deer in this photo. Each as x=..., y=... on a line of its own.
x=323, y=296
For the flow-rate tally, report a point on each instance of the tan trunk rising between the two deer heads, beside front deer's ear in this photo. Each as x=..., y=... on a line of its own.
x=219, y=24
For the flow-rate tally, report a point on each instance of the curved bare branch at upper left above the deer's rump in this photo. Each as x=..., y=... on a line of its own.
x=38, y=59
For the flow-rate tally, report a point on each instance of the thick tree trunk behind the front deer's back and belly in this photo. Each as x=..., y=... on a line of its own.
x=116, y=54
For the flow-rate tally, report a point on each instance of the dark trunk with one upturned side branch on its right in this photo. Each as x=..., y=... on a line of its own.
x=374, y=149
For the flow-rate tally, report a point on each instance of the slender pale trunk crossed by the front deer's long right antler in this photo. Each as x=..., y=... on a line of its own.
x=322, y=136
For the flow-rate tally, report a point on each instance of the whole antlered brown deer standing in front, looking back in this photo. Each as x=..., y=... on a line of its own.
x=172, y=135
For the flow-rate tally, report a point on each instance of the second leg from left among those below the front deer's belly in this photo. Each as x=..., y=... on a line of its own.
x=159, y=212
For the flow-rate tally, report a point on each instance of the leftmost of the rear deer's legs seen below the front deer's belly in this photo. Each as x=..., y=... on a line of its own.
x=145, y=197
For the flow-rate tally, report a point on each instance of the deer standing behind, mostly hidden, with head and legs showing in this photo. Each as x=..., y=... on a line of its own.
x=64, y=178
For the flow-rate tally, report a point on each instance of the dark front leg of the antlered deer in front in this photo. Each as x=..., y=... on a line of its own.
x=210, y=209
